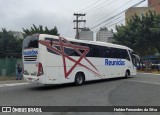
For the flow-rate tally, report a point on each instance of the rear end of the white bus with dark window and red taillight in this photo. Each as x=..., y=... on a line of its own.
x=33, y=69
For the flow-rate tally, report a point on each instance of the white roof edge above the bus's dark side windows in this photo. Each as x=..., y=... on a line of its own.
x=87, y=41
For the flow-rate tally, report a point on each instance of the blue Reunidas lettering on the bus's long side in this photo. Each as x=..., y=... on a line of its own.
x=111, y=62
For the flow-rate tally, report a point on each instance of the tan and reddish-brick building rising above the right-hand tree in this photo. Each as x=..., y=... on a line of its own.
x=153, y=5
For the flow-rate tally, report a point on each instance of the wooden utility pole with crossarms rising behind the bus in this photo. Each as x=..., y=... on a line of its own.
x=78, y=21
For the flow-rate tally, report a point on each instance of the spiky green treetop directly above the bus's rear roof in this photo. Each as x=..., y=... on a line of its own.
x=40, y=30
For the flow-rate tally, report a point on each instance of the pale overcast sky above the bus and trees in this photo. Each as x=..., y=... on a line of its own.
x=18, y=14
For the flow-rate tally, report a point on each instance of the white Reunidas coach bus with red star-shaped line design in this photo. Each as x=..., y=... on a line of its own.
x=49, y=59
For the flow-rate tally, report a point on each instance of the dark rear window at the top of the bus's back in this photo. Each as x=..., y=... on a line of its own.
x=30, y=42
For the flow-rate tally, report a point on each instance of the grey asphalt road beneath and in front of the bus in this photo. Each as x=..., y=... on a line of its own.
x=141, y=90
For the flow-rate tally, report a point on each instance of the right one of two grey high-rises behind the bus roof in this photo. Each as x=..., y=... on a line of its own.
x=104, y=35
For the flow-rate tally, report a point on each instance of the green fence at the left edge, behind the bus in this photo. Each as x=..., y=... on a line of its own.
x=8, y=65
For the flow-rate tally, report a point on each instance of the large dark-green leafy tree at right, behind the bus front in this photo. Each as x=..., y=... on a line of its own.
x=140, y=33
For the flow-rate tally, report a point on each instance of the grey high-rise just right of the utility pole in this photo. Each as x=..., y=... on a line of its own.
x=86, y=34
